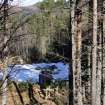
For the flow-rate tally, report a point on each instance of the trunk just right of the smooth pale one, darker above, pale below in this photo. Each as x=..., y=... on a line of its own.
x=99, y=54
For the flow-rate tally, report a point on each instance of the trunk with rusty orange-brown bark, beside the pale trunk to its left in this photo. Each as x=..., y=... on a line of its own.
x=78, y=59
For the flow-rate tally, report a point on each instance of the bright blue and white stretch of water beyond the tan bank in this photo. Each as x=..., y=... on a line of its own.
x=30, y=73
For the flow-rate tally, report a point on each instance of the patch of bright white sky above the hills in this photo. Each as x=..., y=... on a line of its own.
x=25, y=2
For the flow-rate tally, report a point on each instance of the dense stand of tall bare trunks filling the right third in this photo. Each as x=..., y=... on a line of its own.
x=88, y=59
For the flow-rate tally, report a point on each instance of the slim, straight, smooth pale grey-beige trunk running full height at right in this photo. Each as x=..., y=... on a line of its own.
x=94, y=52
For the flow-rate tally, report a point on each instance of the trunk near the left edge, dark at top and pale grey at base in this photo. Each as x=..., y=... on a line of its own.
x=5, y=16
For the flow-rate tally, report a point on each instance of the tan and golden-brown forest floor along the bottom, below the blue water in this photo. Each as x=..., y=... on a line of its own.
x=56, y=98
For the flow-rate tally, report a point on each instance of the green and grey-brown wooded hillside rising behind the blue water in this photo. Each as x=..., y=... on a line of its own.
x=51, y=27
